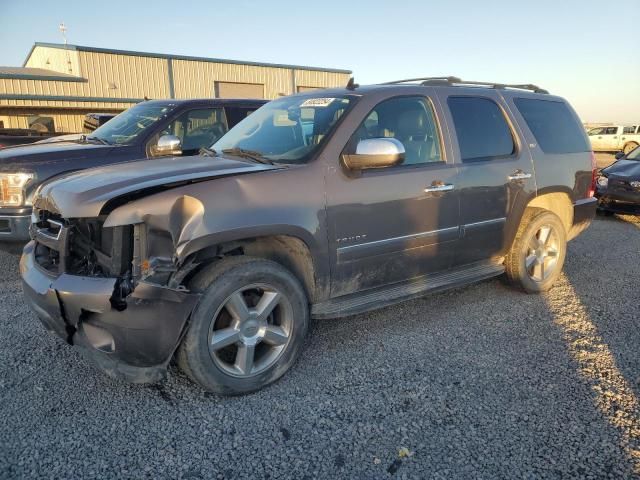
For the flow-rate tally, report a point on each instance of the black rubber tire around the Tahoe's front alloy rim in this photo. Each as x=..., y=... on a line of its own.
x=219, y=283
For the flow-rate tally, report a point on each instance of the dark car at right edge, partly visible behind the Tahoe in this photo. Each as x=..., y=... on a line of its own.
x=618, y=186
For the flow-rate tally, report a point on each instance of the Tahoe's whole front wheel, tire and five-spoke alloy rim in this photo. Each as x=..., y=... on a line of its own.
x=248, y=328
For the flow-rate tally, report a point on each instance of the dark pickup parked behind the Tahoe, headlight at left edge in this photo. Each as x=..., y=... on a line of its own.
x=148, y=130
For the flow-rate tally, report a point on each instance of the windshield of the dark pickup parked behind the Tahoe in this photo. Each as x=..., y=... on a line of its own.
x=123, y=129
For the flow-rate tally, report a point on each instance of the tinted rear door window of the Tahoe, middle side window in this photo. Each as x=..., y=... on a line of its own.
x=481, y=128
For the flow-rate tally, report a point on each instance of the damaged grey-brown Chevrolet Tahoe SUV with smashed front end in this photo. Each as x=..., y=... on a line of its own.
x=323, y=204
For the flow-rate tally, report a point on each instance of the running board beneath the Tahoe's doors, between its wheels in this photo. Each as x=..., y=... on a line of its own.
x=355, y=303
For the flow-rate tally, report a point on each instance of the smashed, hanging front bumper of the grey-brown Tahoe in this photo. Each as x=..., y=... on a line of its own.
x=134, y=344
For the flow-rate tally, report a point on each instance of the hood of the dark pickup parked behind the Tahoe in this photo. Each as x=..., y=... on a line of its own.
x=29, y=157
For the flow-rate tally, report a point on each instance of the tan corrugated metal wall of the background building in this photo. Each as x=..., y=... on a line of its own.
x=131, y=77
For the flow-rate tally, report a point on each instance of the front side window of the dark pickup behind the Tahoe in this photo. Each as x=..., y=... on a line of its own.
x=198, y=128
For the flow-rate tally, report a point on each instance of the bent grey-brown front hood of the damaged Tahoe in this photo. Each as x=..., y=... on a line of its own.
x=83, y=194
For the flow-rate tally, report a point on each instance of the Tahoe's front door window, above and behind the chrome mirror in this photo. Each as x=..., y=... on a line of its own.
x=408, y=119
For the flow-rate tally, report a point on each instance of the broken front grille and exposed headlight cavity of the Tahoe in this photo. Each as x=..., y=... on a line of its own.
x=81, y=246
